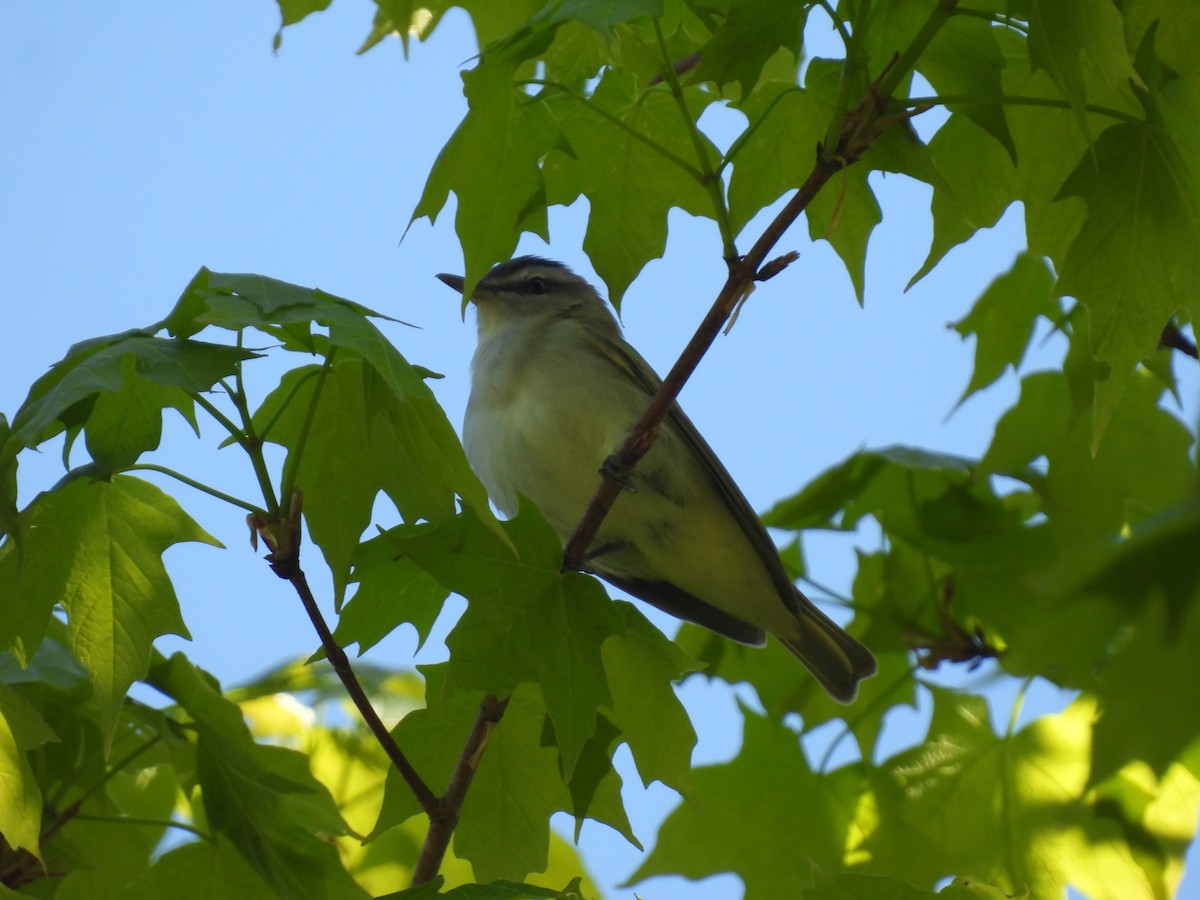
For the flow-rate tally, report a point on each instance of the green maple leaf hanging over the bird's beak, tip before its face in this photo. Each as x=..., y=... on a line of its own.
x=491, y=163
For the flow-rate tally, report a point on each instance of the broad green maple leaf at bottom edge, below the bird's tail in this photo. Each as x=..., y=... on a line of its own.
x=801, y=817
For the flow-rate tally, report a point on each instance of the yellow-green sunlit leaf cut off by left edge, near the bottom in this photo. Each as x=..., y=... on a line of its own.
x=22, y=729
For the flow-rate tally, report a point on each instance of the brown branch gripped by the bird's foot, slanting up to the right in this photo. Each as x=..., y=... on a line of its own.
x=861, y=129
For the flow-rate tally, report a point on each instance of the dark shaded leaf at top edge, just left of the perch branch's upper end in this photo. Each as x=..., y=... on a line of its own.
x=751, y=34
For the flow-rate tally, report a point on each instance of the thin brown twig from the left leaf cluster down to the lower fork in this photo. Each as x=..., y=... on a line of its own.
x=285, y=561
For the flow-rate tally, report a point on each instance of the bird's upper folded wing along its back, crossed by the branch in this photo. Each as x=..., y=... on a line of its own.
x=735, y=501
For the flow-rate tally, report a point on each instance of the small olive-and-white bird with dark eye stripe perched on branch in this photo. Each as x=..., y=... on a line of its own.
x=554, y=392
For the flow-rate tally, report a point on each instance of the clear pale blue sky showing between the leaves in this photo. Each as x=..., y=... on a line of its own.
x=142, y=141
